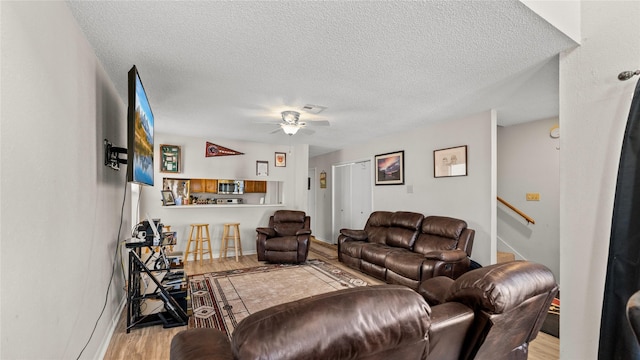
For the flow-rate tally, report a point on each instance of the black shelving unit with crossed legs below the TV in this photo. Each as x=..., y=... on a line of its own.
x=174, y=313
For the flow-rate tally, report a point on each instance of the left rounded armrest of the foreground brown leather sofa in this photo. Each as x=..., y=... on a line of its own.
x=200, y=344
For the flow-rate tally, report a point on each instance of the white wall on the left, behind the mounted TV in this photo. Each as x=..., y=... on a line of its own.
x=61, y=208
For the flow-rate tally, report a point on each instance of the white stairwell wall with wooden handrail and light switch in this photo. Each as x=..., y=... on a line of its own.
x=528, y=162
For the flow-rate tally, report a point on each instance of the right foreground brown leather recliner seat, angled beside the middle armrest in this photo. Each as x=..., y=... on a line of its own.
x=510, y=302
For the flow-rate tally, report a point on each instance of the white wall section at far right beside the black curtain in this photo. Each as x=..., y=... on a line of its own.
x=594, y=107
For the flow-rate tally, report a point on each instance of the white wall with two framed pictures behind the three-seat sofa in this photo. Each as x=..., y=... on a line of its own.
x=468, y=197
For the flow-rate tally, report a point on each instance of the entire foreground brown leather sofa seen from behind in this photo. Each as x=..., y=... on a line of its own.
x=487, y=313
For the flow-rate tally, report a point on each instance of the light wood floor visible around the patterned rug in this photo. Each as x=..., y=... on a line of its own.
x=153, y=342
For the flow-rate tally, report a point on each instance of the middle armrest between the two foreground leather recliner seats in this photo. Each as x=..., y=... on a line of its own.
x=450, y=323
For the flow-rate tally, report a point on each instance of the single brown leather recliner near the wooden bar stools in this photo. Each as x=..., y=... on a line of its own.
x=287, y=238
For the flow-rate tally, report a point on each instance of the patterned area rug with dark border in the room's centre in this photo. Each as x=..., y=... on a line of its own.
x=221, y=300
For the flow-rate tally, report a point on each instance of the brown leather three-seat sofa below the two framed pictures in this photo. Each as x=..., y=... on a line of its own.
x=406, y=248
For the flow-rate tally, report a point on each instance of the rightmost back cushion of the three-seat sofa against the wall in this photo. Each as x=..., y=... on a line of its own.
x=439, y=233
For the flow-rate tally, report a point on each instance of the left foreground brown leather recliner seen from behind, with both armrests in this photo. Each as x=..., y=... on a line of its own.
x=372, y=322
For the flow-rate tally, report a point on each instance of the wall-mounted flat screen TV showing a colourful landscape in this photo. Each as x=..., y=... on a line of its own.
x=139, y=133
